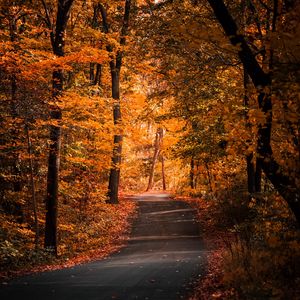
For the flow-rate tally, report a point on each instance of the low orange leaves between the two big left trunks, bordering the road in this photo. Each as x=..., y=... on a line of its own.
x=101, y=225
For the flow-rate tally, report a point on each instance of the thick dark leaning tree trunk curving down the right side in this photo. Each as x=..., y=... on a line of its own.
x=284, y=184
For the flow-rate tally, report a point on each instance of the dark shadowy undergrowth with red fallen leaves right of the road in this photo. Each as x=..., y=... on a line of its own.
x=254, y=244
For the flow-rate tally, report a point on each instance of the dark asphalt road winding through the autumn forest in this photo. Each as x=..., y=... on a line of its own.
x=161, y=261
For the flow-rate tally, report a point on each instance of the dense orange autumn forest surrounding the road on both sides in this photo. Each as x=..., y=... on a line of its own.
x=101, y=99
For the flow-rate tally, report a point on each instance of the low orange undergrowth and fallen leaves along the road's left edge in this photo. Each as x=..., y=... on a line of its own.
x=82, y=234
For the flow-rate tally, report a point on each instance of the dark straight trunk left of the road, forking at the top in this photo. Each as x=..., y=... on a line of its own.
x=57, y=36
